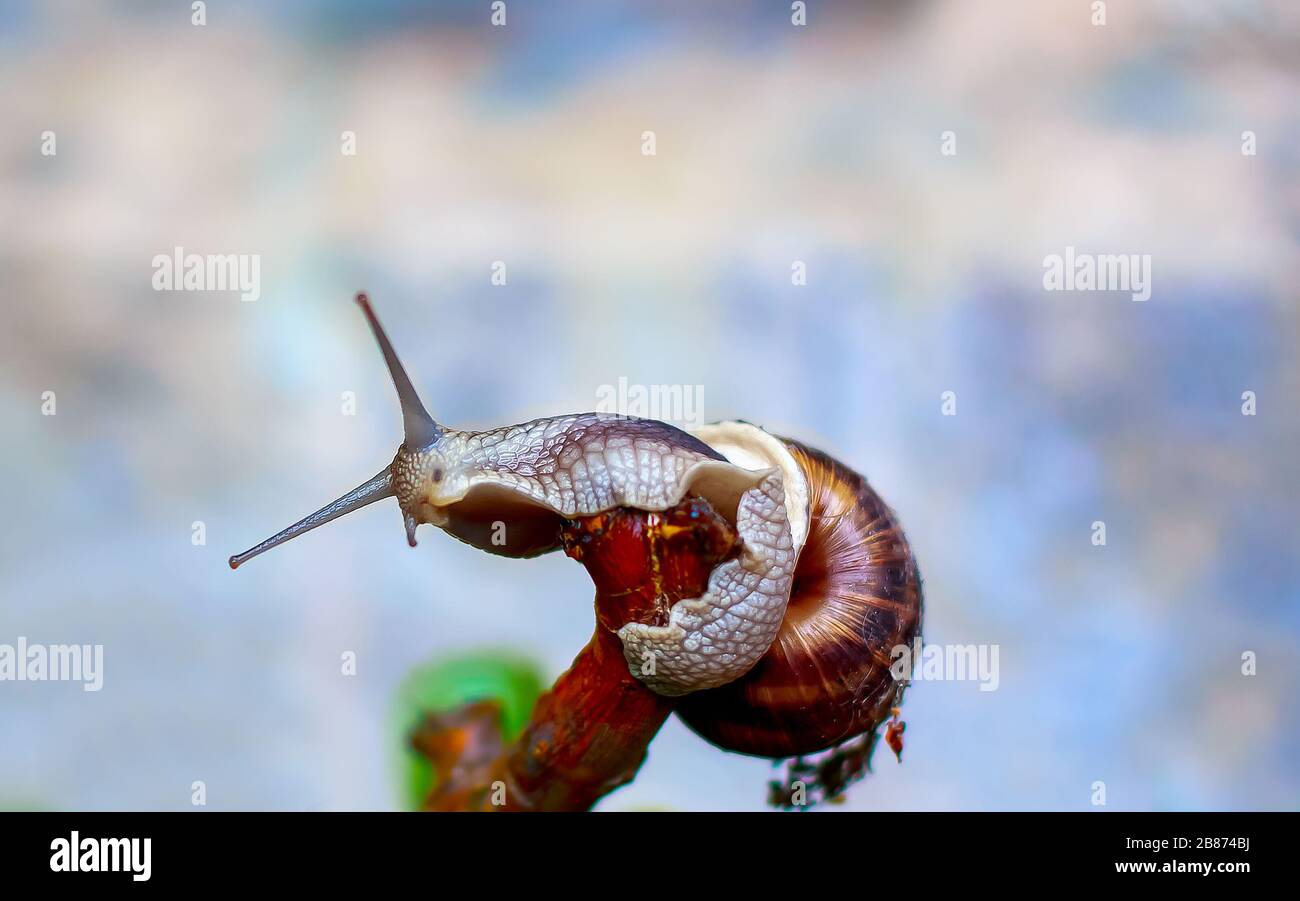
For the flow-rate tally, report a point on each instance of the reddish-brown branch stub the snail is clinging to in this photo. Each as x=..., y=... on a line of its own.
x=590, y=734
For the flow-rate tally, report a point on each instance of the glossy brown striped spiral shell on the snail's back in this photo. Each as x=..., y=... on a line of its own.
x=856, y=596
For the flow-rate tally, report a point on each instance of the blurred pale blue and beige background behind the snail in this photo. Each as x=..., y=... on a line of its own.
x=775, y=145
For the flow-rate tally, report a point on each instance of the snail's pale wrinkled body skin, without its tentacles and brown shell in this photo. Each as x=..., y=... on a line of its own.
x=586, y=465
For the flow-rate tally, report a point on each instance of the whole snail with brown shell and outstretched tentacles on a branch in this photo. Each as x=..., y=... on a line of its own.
x=787, y=649
